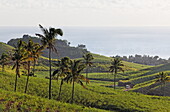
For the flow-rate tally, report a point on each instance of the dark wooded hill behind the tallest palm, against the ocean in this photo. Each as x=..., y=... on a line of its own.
x=63, y=47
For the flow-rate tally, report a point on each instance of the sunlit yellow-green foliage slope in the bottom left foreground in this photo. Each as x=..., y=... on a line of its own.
x=17, y=102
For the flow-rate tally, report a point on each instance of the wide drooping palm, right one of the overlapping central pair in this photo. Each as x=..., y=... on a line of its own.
x=76, y=67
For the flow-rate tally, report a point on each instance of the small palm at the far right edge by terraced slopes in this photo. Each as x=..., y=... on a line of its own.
x=163, y=78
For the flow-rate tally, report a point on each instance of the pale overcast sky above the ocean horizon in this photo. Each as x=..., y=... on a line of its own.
x=85, y=12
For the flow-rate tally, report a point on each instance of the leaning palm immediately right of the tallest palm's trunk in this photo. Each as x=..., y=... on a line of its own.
x=62, y=72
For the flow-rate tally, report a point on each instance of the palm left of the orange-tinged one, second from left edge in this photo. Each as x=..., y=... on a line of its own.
x=18, y=57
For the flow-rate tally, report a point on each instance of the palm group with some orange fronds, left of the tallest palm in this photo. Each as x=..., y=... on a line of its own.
x=25, y=54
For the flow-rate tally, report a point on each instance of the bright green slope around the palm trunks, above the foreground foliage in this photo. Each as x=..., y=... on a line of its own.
x=96, y=95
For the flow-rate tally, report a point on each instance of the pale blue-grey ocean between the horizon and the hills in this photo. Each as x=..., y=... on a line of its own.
x=108, y=41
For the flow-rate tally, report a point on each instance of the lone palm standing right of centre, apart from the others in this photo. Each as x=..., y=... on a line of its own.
x=116, y=65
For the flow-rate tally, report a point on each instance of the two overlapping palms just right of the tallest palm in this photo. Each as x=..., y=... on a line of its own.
x=69, y=71
